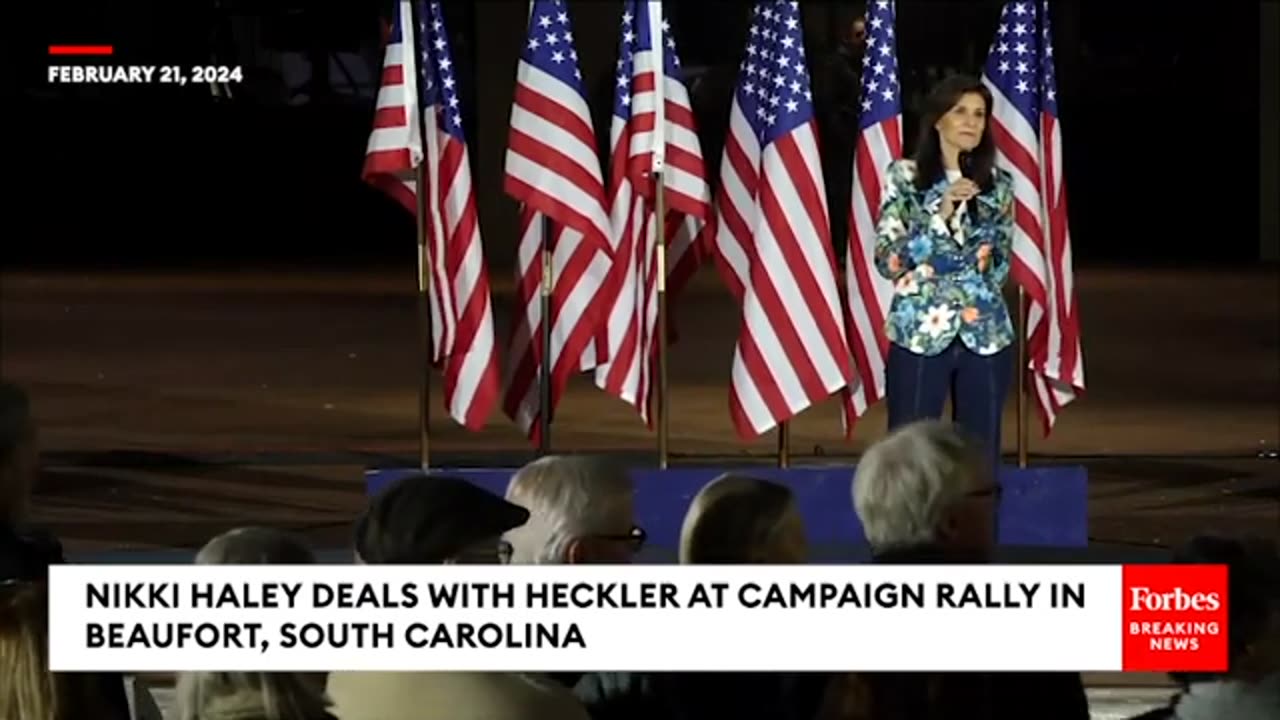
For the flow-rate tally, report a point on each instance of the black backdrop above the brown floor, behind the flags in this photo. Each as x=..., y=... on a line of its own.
x=1160, y=111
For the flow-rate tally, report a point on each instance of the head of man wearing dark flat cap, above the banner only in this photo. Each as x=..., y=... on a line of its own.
x=431, y=520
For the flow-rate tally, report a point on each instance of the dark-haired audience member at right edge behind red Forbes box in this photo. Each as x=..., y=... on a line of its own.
x=1254, y=603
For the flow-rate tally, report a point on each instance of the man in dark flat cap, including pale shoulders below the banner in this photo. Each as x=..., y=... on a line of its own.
x=435, y=521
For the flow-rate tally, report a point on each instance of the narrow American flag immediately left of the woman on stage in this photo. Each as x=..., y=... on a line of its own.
x=880, y=142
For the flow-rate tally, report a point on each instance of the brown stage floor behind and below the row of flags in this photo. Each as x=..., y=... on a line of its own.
x=175, y=405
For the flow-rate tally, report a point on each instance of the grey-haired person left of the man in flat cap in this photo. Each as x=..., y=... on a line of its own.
x=253, y=696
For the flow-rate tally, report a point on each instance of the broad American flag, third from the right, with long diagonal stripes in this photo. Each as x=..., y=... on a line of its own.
x=774, y=236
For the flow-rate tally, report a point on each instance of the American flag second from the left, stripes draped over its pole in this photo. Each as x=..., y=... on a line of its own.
x=555, y=172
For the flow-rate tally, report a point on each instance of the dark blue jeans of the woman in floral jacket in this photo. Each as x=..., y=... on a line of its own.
x=917, y=389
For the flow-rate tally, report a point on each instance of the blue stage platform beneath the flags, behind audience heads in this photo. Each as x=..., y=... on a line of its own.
x=1041, y=507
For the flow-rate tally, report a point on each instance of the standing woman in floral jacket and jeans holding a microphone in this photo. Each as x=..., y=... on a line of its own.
x=944, y=239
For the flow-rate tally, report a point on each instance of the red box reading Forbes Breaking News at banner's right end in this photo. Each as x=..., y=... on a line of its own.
x=1176, y=618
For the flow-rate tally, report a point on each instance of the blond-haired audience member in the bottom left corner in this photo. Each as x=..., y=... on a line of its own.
x=29, y=689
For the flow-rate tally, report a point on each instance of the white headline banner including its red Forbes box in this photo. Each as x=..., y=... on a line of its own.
x=665, y=618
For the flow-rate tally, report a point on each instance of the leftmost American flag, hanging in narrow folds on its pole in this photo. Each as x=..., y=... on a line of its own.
x=418, y=122
